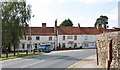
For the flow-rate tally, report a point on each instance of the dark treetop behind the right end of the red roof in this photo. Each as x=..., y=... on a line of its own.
x=103, y=20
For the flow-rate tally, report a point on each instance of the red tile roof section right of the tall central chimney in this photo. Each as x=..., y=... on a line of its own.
x=77, y=30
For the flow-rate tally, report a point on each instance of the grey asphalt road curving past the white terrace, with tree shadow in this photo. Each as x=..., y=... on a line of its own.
x=55, y=59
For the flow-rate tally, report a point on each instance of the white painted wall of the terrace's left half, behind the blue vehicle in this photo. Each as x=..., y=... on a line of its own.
x=42, y=39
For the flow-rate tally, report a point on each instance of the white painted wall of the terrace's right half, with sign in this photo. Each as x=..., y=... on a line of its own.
x=80, y=40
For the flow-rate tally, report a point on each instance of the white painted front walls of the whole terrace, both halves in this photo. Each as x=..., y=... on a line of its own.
x=81, y=40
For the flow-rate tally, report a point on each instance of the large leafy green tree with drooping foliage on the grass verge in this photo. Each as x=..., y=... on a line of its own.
x=15, y=16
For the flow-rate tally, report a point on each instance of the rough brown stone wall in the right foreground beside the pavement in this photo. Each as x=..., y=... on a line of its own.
x=106, y=55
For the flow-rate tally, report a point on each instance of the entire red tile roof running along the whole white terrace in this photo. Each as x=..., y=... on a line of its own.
x=67, y=30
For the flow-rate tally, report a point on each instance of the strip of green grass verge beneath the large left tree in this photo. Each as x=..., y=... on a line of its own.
x=20, y=54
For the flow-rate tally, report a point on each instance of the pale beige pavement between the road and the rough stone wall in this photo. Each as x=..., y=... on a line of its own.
x=89, y=62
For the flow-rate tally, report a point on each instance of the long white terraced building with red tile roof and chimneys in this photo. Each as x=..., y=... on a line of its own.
x=62, y=37
